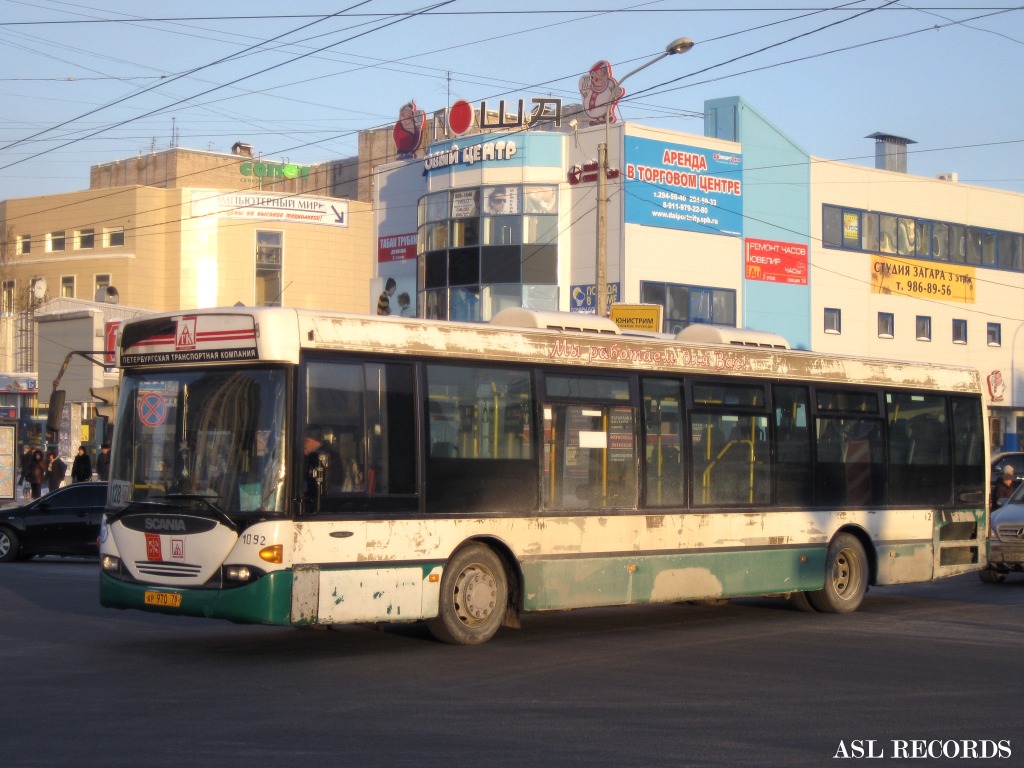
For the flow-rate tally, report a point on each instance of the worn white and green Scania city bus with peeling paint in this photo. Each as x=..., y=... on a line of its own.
x=293, y=467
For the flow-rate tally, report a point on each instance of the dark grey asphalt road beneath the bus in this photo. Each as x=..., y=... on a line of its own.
x=751, y=684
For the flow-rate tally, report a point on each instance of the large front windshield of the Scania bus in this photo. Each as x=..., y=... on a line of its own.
x=215, y=438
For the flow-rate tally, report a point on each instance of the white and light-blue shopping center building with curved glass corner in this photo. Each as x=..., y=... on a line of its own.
x=739, y=227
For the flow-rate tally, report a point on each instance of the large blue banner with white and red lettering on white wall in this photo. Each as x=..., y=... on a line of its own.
x=684, y=188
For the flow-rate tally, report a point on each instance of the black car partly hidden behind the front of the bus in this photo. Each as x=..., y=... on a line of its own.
x=64, y=523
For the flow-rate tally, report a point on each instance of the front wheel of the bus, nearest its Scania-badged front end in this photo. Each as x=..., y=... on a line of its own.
x=474, y=598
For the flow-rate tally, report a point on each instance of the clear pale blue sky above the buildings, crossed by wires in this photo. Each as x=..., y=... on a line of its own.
x=96, y=81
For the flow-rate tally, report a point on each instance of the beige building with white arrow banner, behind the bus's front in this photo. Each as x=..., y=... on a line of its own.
x=185, y=229
